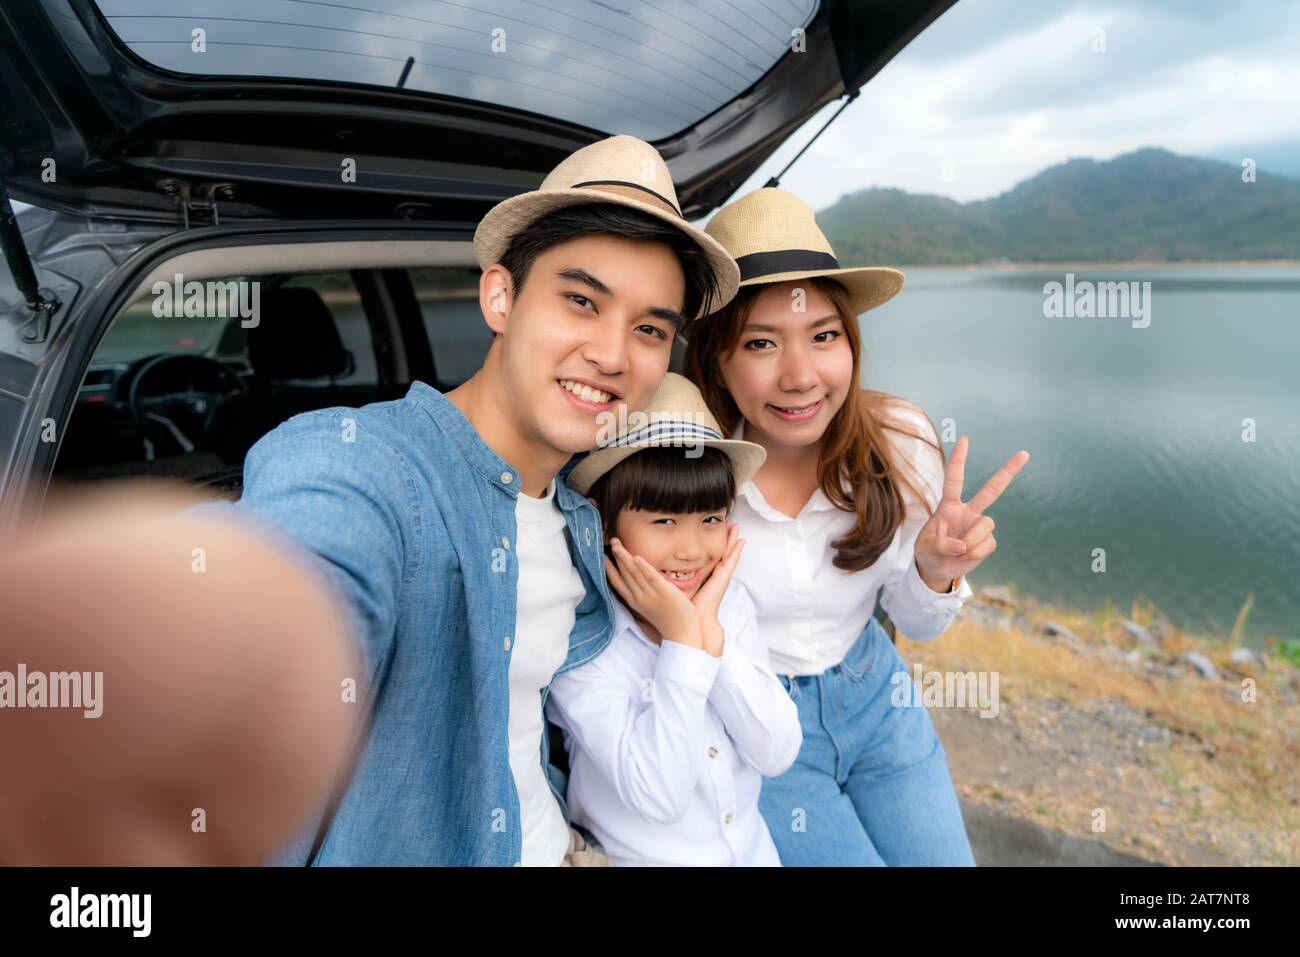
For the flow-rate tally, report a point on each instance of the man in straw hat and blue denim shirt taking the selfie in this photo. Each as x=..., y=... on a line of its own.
x=466, y=573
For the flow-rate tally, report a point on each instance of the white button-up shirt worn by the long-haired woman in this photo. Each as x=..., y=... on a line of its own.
x=809, y=612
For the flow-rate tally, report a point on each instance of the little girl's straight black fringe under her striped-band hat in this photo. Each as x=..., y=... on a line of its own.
x=682, y=480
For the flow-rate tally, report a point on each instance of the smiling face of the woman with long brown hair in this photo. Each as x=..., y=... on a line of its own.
x=792, y=369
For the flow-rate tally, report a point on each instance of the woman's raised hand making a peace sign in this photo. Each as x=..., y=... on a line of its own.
x=959, y=535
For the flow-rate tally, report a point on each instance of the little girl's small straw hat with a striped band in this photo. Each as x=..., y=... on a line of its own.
x=677, y=417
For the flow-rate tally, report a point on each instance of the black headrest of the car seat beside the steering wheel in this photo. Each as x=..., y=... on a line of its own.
x=296, y=337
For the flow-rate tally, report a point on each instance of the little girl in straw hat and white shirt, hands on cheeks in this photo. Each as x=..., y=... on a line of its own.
x=671, y=730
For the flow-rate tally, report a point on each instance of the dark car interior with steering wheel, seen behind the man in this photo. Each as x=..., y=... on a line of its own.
x=187, y=397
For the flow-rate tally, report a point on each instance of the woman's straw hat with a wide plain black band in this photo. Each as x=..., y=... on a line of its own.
x=775, y=239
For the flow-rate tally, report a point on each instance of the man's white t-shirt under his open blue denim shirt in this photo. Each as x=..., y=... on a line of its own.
x=551, y=590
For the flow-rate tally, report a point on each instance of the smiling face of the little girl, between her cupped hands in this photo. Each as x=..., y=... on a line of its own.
x=683, y=547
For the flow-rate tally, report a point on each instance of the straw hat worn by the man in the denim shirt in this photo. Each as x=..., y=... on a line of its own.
x=622, y=170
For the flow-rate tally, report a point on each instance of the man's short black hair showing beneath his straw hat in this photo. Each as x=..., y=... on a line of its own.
x=593, y=219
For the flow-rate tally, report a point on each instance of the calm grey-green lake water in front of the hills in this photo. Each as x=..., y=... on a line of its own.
x=1136, y=434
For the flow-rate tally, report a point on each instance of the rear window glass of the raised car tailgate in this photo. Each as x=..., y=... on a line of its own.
x=649, y=70
